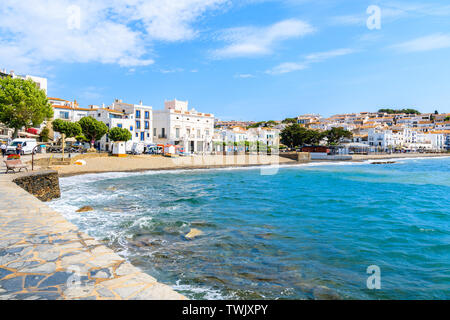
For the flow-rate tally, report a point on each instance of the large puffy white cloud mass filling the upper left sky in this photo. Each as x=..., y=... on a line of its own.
x=115, y=31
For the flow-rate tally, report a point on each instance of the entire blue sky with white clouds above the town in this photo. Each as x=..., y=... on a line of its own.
x=240, y=60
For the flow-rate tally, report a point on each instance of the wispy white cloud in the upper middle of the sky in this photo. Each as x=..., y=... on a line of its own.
x=257, y=41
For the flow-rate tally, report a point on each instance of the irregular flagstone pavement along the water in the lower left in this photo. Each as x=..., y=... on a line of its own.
x=43, y=256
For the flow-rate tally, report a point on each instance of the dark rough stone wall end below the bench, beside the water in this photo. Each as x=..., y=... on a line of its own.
x=44, y=185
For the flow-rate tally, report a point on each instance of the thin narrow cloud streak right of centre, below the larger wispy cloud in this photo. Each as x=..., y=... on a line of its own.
x=288, y=67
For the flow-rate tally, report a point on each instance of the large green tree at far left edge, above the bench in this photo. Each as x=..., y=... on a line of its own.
x=23, y=104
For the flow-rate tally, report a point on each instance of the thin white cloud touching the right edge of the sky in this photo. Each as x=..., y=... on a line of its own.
x=427, y=43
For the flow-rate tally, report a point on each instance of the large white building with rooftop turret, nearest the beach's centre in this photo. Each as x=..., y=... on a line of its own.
x=178, y=125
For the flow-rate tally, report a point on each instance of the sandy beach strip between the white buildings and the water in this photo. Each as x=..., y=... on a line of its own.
x=144, y=163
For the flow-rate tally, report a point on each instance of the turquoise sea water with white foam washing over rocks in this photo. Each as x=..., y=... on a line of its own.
x=308, y=232
